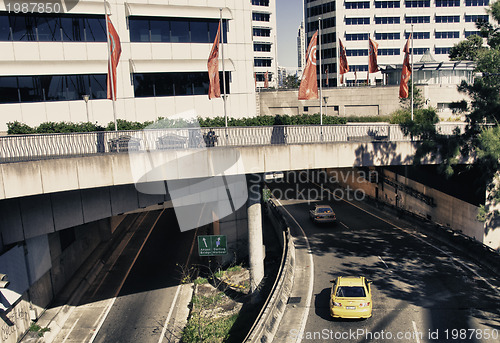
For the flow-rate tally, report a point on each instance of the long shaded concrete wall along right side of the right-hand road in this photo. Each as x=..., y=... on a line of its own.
x=401, y=192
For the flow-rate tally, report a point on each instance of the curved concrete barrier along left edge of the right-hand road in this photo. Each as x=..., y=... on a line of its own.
x=267, y=322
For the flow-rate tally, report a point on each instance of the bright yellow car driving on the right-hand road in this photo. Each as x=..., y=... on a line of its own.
x=351, y=297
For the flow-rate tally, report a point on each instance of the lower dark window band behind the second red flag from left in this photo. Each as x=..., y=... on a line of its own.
x=174, y=84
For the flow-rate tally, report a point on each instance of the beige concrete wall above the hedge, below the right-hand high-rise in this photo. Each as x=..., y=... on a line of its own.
x=355, y=101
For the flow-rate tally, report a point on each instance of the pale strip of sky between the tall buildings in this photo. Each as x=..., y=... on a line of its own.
x=288, y=18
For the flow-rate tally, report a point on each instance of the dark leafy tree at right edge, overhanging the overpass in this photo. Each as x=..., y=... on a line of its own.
x=478, y=140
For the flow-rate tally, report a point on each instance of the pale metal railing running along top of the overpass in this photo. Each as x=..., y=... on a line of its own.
x=17, y=148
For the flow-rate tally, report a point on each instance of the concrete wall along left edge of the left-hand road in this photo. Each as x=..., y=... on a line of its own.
x=48, y=268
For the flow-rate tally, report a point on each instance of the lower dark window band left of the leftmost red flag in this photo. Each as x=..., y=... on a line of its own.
x=40, y=88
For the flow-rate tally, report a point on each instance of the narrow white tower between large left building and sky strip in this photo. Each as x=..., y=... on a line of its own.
x=264, y=42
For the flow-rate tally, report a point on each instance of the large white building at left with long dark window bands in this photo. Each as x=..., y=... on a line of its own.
x=56, y=56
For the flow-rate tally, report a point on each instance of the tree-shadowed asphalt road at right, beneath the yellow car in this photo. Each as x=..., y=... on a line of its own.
x=418, y=287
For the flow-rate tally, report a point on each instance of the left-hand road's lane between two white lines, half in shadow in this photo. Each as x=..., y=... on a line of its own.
x=142, y=306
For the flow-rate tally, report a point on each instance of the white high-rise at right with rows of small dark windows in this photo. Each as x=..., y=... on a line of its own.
x=437, y=25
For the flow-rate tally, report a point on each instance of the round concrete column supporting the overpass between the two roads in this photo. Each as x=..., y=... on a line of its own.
x=255, y=242
